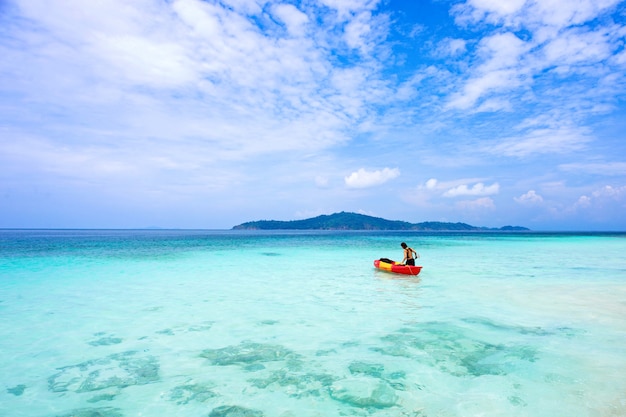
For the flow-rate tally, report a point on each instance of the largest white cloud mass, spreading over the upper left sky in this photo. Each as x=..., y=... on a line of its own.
x=189, y=69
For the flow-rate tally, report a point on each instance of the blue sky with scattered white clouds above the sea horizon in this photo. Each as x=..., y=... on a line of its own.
x=207, y=114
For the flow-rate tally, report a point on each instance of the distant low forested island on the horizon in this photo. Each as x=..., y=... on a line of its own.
x=355, y=221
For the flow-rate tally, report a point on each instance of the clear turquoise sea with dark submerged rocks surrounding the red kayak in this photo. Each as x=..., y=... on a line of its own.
x=230, y=323
